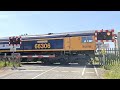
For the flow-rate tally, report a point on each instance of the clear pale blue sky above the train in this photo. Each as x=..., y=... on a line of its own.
x=14, y=23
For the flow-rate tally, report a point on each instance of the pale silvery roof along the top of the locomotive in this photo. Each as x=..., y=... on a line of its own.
x=54, y=35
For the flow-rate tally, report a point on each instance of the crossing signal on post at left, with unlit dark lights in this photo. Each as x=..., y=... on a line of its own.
x=14, y=41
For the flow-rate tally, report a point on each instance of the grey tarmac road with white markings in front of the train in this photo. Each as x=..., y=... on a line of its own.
x=38, y=71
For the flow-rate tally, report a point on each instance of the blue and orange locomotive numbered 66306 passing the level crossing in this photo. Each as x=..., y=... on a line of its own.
x=68, y=47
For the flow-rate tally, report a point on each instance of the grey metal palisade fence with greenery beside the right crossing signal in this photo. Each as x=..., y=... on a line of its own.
x=110, y=56
